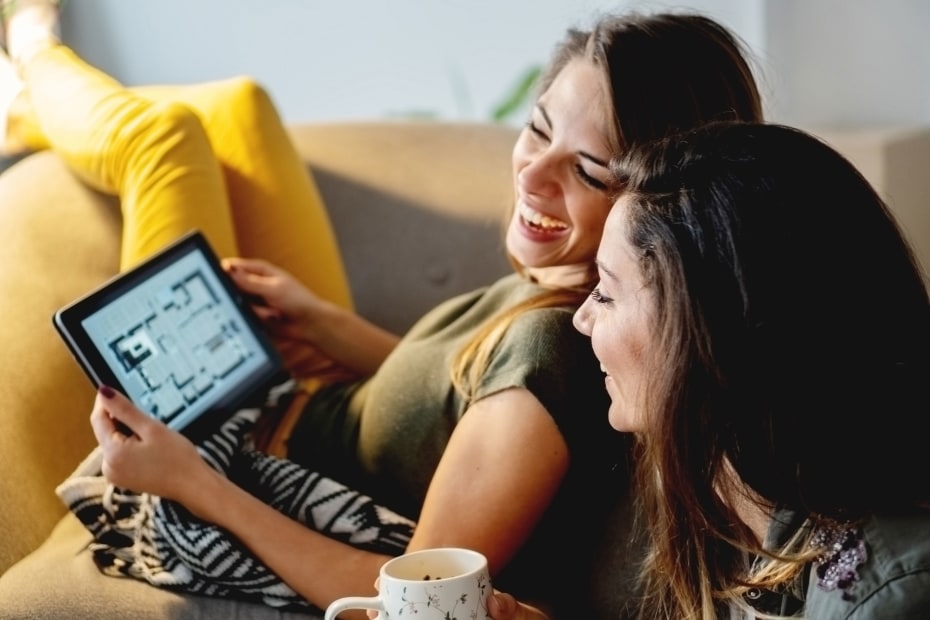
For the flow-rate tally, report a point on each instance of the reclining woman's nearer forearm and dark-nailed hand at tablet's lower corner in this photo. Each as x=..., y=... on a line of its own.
x=154, y=459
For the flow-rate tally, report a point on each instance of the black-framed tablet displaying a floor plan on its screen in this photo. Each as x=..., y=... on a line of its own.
x=176, y=336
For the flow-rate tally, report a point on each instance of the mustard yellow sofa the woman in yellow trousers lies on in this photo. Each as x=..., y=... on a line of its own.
x=418, y=208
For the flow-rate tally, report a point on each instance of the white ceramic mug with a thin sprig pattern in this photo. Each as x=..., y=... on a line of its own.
x=437, y=583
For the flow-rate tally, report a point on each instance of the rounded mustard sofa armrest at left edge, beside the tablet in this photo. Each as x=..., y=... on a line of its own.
x=58, y=239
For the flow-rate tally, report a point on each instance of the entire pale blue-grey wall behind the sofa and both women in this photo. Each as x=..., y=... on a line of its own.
x=820, y=61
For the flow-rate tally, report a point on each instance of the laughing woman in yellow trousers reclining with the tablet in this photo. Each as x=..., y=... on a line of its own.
x=481, y=423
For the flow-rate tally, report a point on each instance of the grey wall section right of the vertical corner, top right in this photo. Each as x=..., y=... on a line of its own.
x=850, y=62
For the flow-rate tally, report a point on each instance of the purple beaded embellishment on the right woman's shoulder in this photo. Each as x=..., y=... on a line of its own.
x=844, y=551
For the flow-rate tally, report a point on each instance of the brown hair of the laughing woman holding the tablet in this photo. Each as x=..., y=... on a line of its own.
x=665, y=72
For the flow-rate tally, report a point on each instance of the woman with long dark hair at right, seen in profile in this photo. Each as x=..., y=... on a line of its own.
x=765, y=333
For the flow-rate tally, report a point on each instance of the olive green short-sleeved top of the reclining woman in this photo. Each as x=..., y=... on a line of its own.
x=385, y=435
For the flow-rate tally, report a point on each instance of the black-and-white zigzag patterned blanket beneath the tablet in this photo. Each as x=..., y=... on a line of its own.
x=158, y=541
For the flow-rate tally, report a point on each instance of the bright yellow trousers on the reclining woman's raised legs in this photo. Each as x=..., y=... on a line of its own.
x=211, y=156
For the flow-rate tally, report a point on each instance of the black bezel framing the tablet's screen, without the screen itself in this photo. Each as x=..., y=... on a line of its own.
x=69, y=321
